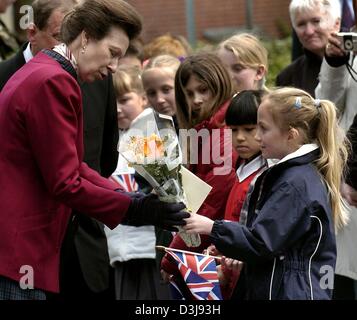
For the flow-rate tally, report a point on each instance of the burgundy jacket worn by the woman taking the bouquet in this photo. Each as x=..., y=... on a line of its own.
x=42, y=176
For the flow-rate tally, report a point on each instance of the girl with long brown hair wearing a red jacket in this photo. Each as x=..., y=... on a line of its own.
x=203, y=91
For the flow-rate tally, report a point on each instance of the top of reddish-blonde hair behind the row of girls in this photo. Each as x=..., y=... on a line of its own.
x=166, y=44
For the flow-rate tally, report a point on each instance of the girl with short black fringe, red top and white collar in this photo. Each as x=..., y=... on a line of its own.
x=241, y=117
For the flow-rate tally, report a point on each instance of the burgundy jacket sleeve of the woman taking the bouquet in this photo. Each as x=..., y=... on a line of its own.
x=53, y=127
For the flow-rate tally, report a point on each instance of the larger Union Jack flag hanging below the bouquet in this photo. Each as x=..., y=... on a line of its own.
x=199, y=273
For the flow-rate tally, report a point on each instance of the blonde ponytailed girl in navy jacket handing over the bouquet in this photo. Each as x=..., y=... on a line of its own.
x=288, y=244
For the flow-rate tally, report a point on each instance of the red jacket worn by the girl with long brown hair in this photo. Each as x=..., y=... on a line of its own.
x=215, y=203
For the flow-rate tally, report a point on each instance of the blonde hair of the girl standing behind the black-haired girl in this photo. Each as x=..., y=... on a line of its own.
x=249, y=50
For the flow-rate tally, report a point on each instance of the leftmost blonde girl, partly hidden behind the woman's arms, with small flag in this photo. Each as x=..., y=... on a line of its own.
x=132, y=249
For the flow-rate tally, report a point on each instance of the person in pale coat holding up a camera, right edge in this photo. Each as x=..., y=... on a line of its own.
x=338, y=84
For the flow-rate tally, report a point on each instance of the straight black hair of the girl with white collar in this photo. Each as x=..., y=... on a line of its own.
x=243, y=108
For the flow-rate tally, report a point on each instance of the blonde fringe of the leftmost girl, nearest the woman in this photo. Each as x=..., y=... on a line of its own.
x=126, y=79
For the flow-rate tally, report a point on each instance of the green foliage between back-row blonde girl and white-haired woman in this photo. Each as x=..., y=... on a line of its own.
x=279, y=57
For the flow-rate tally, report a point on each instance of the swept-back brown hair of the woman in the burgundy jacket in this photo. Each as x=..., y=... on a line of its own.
x=97, y=17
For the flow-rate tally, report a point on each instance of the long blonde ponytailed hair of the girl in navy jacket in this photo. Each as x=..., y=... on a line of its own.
x=317, y=123
